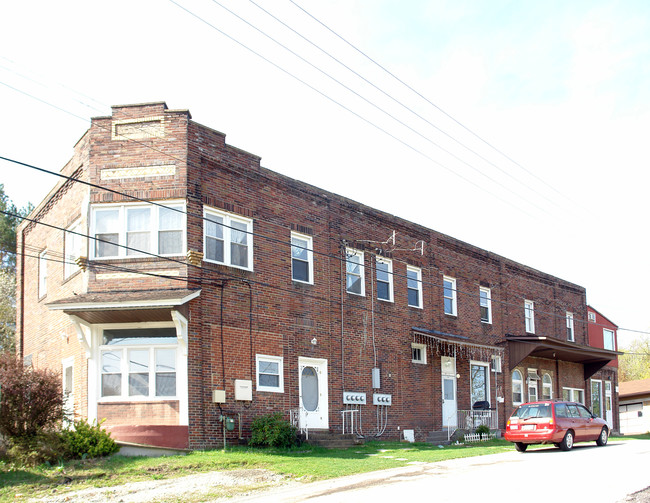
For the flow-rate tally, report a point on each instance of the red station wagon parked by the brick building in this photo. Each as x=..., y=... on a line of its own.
x=554, y=422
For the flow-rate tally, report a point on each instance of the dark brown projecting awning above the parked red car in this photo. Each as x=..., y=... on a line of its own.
x=593, y=359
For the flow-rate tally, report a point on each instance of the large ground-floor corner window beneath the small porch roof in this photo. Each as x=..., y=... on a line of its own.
x=138, y=364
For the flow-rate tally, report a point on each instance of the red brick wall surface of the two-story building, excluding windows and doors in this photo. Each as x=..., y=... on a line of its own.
x=264, y=312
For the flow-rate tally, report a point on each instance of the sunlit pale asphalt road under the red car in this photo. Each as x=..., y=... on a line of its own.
x=585, y=474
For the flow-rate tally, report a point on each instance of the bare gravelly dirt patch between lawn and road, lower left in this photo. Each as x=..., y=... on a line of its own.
x=189, y=488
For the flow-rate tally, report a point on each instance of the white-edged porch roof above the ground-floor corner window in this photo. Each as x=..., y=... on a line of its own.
x=125, y=307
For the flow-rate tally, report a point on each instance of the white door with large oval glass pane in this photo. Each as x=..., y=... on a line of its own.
x=312, y=380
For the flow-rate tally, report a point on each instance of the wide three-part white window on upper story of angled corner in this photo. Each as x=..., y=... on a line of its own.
x=136, y=229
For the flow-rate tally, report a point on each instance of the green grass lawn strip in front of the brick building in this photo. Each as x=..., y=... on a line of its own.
x=304, y=463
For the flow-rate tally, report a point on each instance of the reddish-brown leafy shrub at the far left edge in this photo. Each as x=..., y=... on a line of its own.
x=31, y=400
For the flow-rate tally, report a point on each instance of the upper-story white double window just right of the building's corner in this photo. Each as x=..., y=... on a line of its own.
x=227, y=239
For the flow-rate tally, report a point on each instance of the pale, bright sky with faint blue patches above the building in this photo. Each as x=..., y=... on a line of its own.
x=517, y=126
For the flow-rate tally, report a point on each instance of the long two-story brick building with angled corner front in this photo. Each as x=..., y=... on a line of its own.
x=186, y=282
